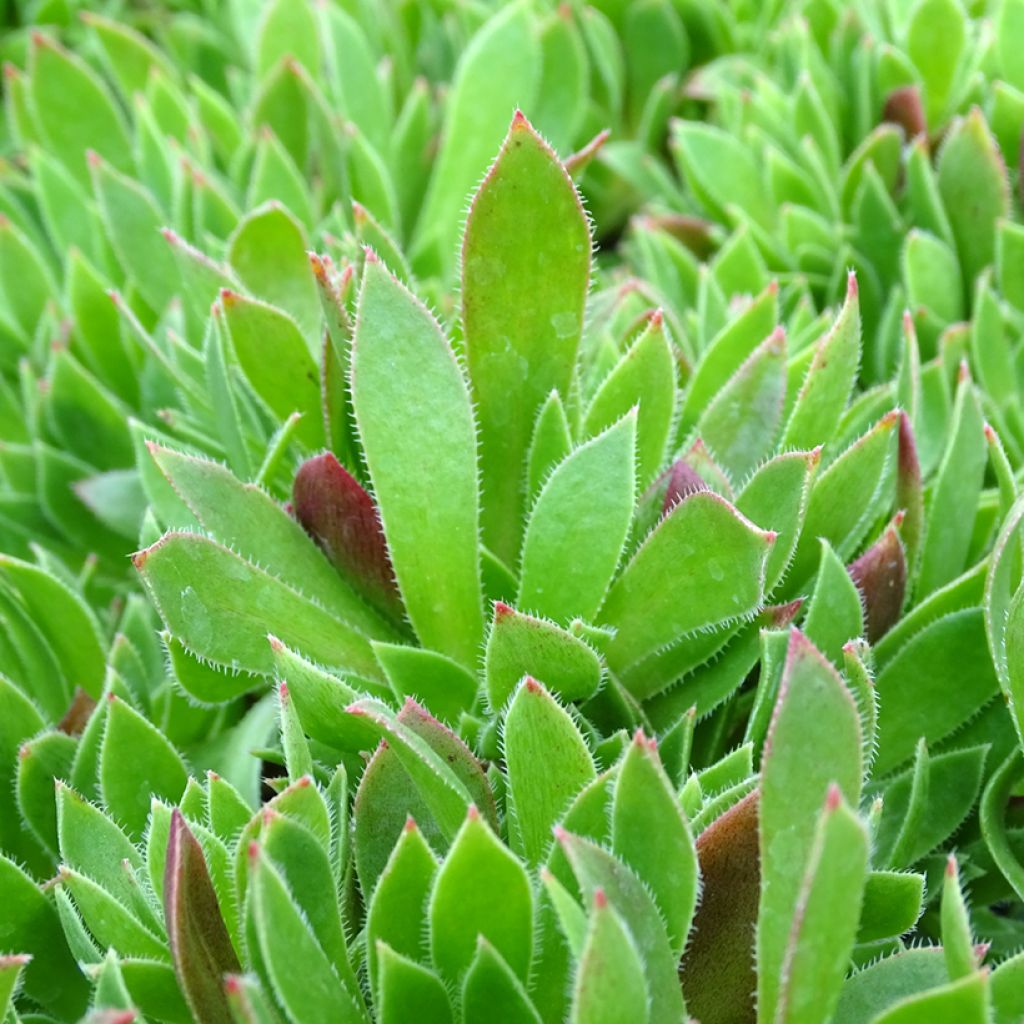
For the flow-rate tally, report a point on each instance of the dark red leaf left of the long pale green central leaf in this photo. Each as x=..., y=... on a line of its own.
x=343, y=519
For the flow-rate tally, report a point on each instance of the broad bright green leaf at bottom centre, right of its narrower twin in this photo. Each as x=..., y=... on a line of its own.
x=482, y=889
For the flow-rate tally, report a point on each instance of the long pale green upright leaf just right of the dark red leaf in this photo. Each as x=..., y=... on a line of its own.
x=422, y=461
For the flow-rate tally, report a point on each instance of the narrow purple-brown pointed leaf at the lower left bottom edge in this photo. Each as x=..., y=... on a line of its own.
x=201, y=948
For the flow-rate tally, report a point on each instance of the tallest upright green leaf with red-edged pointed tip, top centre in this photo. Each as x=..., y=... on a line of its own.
x=522, y=323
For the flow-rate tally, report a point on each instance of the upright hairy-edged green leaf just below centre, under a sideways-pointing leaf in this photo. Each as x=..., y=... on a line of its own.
x=547, y=762
